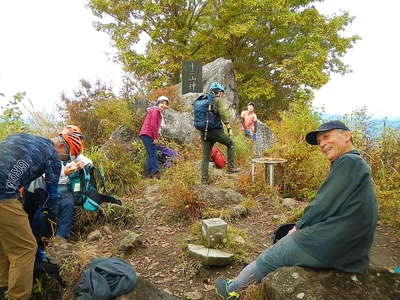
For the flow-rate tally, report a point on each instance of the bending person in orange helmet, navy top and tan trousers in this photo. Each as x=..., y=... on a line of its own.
x=23, y=158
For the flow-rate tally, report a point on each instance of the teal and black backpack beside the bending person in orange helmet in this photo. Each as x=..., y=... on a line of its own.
x=85, y=185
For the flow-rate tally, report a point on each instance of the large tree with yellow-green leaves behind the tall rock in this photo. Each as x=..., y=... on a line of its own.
x=282, y=50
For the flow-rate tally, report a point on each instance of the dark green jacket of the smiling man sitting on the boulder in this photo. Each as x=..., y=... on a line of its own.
x=338, y=226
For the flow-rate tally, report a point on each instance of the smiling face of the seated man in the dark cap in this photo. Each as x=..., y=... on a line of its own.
x=334, y=143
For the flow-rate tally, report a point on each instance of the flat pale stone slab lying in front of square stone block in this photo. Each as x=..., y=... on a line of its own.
x=210, y=257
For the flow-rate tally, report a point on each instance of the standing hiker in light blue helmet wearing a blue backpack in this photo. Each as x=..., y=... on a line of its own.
x=209, y=114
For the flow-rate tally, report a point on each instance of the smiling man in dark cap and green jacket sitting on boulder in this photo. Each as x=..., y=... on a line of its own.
x=337, y=228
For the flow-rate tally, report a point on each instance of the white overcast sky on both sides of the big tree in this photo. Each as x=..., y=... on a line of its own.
x=47, y=46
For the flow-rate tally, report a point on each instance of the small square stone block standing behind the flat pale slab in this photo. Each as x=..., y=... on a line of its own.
x=214, y=232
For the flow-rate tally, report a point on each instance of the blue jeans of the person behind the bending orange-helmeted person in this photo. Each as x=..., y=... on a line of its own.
x=65, y=209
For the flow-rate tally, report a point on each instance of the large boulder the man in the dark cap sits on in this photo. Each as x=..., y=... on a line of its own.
x=303, y=283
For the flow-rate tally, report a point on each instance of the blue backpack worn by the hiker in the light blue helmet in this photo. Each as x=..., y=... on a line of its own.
x=204, y=116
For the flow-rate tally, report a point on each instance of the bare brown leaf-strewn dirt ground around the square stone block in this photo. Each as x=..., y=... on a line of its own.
x=160, y=256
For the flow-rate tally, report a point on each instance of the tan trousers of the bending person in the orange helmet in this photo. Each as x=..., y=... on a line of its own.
x=17, y=250
